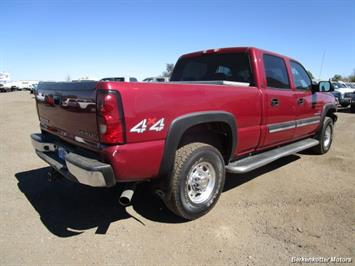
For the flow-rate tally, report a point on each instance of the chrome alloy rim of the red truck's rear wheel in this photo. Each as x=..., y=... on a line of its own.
x=200, y=182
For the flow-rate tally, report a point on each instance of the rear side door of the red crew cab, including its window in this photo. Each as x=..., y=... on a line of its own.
x=279, y=104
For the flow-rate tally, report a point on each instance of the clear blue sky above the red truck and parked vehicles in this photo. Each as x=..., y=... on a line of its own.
x=49, y=40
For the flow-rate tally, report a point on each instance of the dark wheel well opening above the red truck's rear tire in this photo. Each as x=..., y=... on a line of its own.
x=217, y=134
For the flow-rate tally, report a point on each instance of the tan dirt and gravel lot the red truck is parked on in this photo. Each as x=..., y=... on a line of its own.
x=302, y=205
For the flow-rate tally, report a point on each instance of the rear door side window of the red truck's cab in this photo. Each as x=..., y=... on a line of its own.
x=276, y=72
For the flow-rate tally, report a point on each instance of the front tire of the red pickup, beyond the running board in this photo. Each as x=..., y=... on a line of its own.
x=324, y=145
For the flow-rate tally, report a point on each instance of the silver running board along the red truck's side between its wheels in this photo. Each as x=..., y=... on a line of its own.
x=250, y=163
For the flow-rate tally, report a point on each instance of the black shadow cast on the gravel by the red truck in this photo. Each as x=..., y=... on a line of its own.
x=68, y=209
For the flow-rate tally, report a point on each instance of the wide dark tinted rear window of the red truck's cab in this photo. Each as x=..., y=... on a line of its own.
x=208, y=67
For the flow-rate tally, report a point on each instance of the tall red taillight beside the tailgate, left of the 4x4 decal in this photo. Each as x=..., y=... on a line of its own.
x=110, y=117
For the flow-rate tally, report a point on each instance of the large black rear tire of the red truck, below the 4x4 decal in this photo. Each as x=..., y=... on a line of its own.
x=188, y=159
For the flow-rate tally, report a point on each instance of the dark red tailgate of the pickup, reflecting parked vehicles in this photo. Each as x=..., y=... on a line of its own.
x=68, y=110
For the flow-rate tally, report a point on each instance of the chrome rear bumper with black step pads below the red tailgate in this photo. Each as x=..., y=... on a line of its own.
x=76, y=168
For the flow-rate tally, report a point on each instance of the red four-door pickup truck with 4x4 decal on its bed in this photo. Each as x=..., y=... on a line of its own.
x=231, y=109
